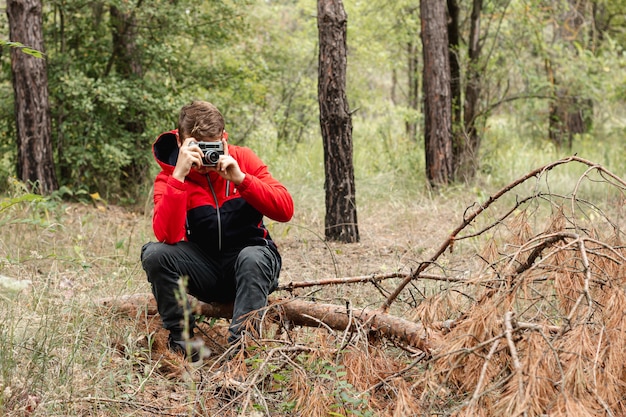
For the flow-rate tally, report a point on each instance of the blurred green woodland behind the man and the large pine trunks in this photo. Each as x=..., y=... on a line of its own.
x=546, y=75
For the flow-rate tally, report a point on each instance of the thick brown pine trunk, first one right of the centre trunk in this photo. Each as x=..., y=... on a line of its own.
x=437, y=100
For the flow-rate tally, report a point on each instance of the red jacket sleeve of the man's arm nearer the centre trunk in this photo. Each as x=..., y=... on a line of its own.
x=264, y=192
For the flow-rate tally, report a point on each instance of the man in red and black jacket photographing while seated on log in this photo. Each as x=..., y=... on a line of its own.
x=208, y=220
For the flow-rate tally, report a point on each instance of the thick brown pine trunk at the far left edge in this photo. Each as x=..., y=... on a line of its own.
x=35, y=162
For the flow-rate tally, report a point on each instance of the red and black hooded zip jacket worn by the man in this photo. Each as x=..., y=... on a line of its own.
x=211, y=211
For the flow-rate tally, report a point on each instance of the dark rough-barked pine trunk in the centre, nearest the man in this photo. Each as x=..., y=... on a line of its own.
x=336, y=124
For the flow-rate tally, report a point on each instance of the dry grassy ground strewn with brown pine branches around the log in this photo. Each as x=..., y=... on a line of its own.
x=531, y=321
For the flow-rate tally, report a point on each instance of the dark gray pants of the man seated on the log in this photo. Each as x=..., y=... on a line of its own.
x=245, y=277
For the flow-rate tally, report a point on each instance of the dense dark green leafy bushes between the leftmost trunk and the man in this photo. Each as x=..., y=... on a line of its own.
x=105, y=120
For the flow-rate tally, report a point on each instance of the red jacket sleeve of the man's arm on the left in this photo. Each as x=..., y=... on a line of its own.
x=170, y=209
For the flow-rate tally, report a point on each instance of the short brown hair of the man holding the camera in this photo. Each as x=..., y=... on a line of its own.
x=201, y=120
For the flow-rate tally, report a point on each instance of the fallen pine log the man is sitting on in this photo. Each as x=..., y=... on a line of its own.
x=300, y=313
